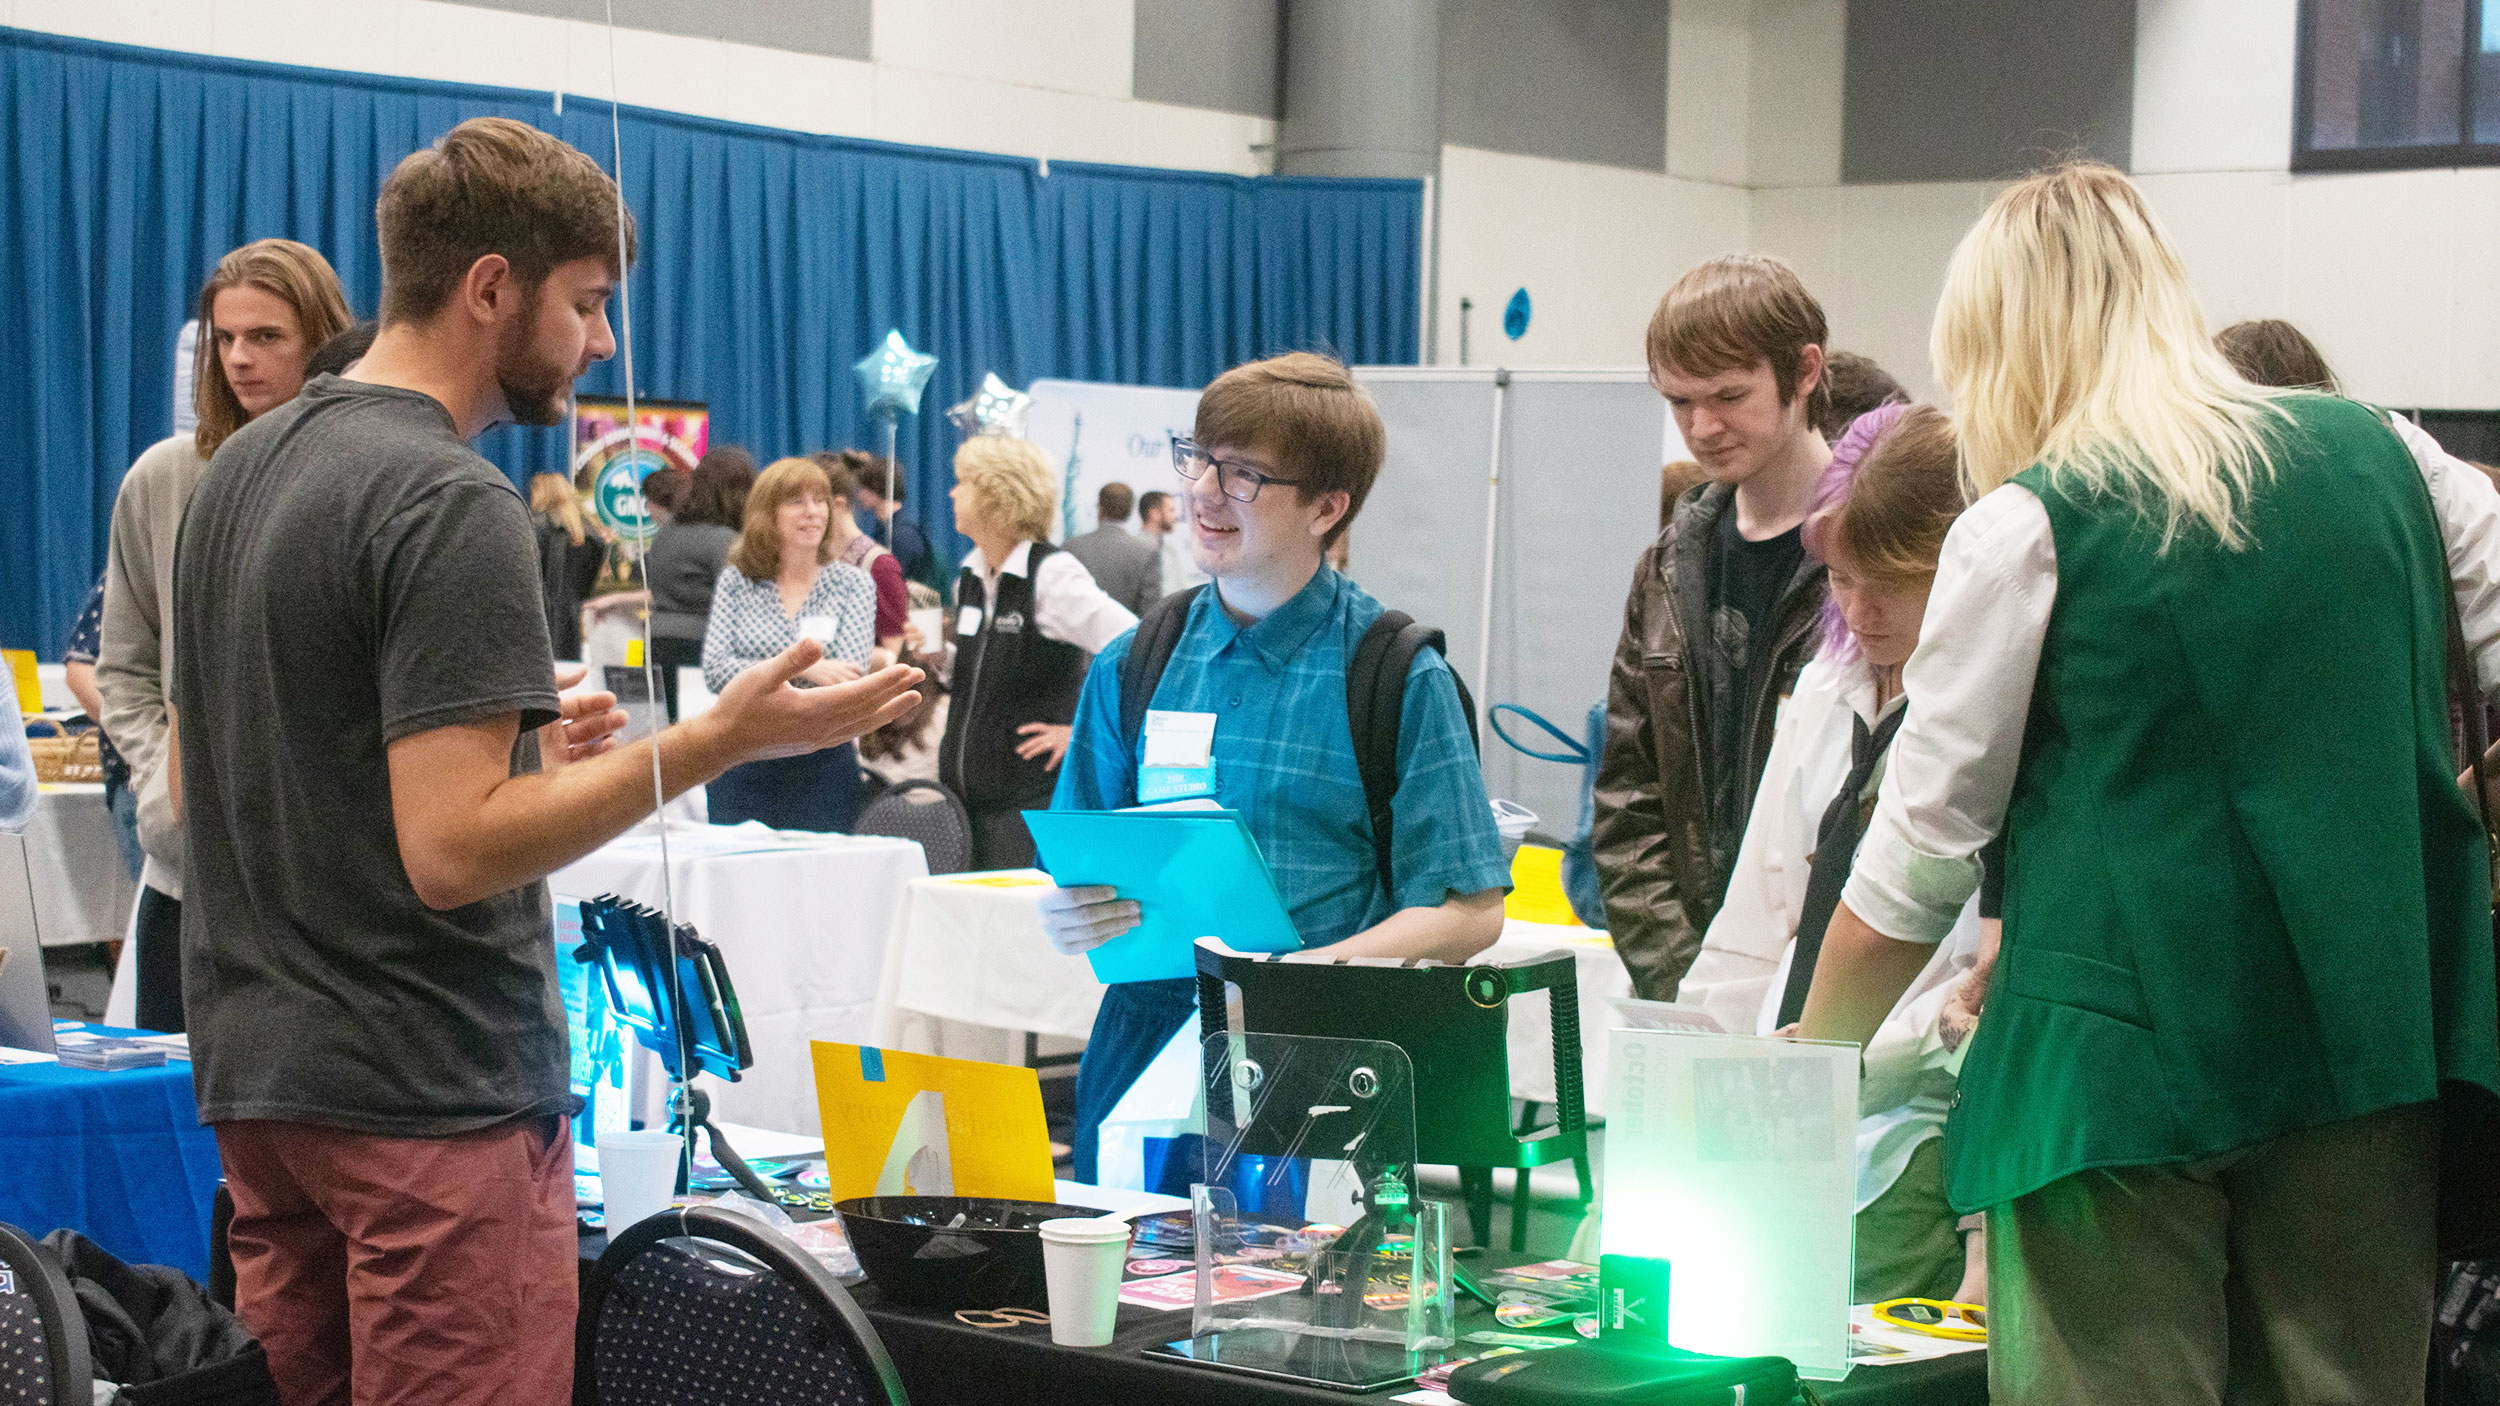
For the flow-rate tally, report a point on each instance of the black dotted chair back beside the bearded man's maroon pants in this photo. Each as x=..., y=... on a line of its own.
x=669, y=1320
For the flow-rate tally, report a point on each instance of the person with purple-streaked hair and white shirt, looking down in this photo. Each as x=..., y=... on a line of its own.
x=1879, y=522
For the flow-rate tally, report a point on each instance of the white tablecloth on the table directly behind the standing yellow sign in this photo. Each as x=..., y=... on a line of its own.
x=801, y=922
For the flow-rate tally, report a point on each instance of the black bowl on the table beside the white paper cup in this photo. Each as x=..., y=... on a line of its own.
x=954, y=1252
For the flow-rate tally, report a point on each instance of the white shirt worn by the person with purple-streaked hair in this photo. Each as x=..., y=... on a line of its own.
x=1906, y=1085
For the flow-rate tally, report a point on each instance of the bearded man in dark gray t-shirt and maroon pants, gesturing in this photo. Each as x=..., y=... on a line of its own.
x=376, y=777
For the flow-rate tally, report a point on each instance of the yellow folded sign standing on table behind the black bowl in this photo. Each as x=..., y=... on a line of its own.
x=909, y=1125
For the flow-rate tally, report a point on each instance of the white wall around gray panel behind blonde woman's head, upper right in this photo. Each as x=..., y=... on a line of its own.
x=2394, y=274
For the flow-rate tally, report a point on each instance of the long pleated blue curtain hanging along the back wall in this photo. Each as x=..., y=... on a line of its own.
x=771, y=261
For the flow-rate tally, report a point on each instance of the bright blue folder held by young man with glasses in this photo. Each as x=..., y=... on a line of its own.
x=1196, y=874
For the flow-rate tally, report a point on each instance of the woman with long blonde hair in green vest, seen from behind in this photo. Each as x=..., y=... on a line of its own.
x=2189, y=654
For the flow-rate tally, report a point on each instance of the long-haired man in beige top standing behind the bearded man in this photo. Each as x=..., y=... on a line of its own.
x=264, y=314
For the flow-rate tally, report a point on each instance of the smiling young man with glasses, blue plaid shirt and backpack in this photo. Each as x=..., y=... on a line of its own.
x=1284, y=457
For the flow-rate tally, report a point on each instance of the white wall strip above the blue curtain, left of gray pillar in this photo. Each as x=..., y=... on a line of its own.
x=1001, y=76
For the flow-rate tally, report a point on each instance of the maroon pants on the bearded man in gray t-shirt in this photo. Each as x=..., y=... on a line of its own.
x=399, y=1272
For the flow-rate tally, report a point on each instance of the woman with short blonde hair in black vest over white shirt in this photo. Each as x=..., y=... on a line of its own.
x=1029, y=622
